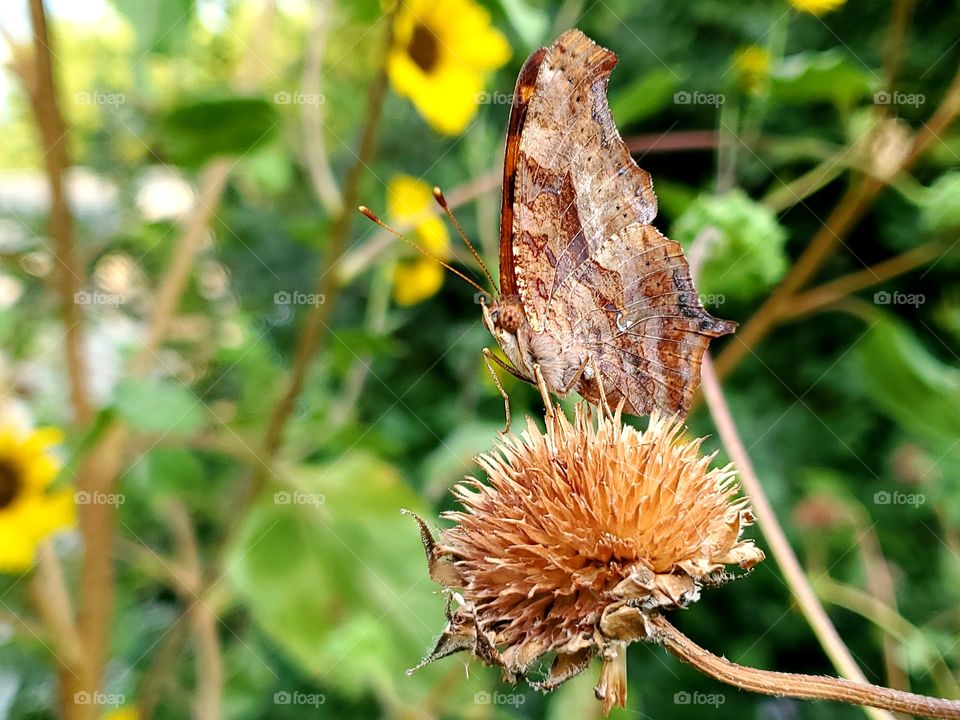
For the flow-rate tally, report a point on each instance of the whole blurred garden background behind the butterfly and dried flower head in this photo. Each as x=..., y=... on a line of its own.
x=220, y=384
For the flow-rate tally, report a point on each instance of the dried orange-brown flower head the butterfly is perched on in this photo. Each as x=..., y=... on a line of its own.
x=576, y=536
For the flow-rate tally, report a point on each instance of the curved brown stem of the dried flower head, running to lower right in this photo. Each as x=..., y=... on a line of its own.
x=808, y=687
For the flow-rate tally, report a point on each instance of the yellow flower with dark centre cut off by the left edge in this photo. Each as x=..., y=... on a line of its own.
x=29, y=510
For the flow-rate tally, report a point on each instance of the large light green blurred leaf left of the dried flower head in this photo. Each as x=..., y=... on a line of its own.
x=336, y=576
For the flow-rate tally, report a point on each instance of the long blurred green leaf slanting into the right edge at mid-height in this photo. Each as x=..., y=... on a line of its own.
x=908, y=384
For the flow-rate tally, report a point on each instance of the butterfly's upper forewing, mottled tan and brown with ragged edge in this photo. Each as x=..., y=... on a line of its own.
x=574, y=182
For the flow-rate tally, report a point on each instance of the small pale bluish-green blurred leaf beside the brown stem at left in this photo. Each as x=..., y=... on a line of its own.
x=161, y=406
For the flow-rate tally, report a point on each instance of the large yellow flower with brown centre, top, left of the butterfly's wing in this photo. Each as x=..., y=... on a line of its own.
x=441, y=56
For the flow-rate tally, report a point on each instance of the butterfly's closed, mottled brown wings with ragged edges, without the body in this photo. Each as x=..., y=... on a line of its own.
x=584, y=260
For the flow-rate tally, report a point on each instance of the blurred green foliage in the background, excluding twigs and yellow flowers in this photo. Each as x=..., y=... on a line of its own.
x=328, y=595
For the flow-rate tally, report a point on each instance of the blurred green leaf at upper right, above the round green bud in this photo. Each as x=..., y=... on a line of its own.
x=829, y=76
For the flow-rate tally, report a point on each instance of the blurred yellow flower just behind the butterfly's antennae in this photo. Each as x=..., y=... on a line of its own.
x=415, y=279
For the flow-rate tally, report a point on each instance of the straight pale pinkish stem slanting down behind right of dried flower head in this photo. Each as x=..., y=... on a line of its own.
x=780, y=548
